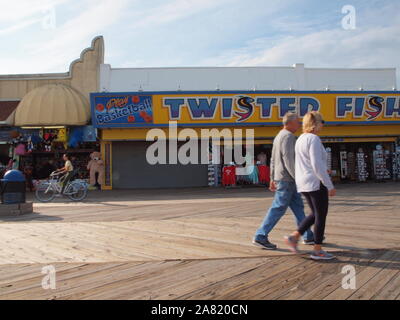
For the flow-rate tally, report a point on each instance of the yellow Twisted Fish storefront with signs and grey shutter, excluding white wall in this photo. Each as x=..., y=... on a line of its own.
x=354, y=120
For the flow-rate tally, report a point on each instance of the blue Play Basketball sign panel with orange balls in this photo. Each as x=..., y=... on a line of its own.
x=121, y=110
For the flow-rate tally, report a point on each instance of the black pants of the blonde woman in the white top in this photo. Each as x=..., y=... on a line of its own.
x=318, y=202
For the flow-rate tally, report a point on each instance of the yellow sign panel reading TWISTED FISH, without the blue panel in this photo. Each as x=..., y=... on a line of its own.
x=269, y=108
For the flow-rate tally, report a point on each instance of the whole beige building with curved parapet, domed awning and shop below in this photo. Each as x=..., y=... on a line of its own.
x=45, y=115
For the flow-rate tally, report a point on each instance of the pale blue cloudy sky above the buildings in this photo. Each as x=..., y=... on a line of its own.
x=40, y=36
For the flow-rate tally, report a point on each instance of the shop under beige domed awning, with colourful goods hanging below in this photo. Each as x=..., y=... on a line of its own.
x=49, y=121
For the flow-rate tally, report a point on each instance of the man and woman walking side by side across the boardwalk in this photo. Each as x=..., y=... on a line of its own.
x=299, y=167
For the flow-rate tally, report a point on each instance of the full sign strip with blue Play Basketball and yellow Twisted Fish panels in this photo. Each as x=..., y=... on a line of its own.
x=261, y=108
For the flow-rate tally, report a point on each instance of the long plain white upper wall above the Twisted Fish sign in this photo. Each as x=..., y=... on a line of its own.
x=244, y=78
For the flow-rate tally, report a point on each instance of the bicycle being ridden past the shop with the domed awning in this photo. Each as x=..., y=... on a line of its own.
x=46, y=191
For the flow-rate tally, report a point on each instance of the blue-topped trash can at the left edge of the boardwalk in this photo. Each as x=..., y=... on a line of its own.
x=12, y=187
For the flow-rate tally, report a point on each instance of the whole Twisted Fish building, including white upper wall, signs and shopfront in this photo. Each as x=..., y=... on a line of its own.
x=361, y=108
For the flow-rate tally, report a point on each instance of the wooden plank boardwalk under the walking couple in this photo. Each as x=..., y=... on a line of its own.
x=196, y=244
